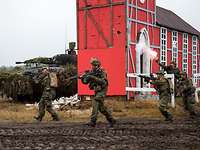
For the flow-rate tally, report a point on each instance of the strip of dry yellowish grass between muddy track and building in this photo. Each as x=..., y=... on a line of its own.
x=17, y=112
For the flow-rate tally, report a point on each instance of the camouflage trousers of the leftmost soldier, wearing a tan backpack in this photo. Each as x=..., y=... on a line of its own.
x=45, y=103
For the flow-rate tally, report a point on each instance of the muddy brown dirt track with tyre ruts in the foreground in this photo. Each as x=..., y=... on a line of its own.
x=137, y=134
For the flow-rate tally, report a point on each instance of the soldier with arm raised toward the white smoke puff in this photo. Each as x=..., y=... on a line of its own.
x=172, y=69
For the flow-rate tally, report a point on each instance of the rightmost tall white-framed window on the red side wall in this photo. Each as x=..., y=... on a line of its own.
x=194, y=56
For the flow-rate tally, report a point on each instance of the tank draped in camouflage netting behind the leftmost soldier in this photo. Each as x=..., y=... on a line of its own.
x=20, y=85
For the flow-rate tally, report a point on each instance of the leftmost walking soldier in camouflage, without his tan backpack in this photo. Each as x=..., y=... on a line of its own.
x=48, y=95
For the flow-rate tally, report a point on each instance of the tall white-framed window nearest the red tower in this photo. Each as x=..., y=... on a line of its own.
x=163, y=45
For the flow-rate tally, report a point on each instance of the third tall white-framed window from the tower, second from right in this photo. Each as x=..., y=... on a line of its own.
x=185, y=53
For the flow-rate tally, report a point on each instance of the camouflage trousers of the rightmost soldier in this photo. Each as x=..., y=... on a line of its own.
x=189, y=102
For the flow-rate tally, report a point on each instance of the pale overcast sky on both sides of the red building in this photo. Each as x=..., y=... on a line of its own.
x=32, y=28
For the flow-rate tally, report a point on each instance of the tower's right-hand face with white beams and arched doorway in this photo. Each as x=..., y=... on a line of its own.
x=138, y=64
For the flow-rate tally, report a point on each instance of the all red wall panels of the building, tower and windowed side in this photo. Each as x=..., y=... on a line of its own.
x=97, y=25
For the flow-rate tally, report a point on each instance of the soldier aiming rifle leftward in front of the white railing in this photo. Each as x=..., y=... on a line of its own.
x=162, y=86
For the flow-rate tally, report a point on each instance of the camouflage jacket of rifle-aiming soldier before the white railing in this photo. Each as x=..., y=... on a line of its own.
x=162, y=86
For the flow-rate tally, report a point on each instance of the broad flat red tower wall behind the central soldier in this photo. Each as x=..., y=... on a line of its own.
x=91, y=43
